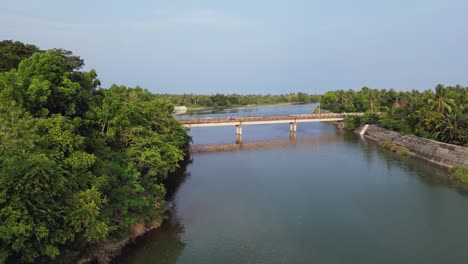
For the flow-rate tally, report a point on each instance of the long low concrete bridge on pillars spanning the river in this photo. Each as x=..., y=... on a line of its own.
x=240, y=121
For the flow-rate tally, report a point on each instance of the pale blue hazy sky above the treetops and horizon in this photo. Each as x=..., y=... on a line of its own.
x=253, y=46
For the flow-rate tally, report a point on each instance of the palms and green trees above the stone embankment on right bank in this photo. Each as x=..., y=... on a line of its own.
x=440, y=115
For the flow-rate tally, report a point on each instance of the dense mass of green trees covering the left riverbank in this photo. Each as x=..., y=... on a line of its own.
x=81, y=168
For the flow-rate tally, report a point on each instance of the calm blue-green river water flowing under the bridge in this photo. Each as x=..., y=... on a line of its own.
x=326, y=197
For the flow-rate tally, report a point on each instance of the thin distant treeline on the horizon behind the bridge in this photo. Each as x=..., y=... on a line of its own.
x=223, y=100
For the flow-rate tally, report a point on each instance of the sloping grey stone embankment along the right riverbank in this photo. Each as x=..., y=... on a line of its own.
x=443, y=154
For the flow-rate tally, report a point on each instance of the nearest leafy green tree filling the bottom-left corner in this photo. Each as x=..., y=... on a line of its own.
x=44, y=175
